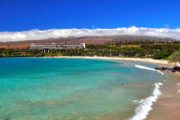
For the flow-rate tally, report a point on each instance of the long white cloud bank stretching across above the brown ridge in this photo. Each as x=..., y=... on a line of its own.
x=64, y=33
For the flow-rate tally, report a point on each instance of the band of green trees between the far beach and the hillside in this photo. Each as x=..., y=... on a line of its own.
x=135, y=49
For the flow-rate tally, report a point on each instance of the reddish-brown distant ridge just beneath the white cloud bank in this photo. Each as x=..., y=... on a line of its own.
x=97, y=40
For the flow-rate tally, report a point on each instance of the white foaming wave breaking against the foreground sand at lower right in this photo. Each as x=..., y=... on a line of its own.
x=146, y=104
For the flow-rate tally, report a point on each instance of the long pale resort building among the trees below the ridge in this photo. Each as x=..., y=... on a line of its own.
x=54, y=46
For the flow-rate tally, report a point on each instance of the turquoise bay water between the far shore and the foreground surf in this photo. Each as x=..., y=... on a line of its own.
x=71, y=89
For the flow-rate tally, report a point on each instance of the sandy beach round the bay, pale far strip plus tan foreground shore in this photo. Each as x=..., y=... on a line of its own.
x=167, y=106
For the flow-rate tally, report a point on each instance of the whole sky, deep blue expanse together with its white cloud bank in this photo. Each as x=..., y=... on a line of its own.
x=42, y=19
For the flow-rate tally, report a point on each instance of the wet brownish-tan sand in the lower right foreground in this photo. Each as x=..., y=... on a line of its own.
x=168, y=105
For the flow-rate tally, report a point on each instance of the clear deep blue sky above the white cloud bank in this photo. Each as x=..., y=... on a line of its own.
x=21, y=15
